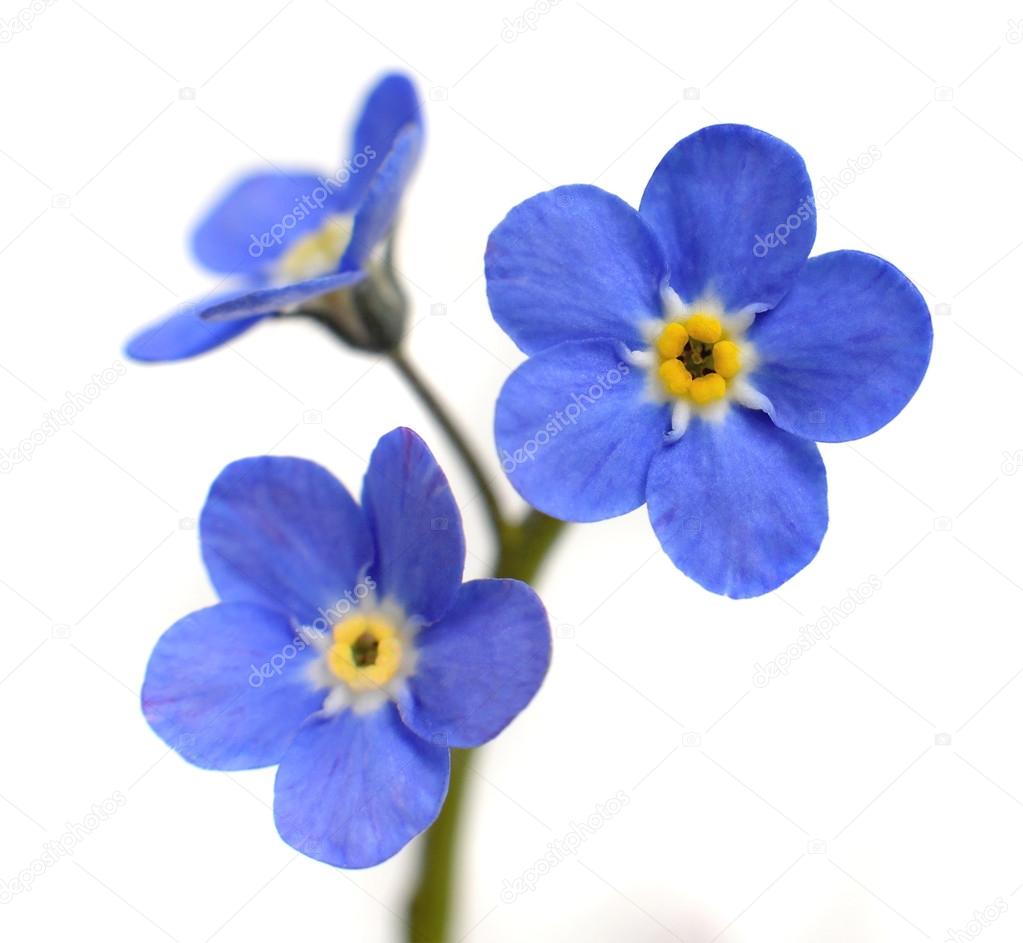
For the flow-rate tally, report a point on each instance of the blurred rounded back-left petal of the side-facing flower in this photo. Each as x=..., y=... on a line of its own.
x=259, y=218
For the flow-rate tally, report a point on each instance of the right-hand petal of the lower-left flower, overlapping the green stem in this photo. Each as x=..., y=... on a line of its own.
x=479, y=666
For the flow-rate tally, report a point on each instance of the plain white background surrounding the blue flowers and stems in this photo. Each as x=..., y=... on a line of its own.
x=874, y=793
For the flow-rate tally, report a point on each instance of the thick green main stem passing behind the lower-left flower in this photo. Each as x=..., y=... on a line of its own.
x=524, y=549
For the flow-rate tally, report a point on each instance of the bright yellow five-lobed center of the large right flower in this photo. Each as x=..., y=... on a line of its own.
x=698, y=360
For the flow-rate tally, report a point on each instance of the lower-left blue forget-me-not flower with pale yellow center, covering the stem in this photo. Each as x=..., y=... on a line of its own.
x=346, y=649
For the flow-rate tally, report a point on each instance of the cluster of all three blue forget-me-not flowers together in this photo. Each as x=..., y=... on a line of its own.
x=688, y=356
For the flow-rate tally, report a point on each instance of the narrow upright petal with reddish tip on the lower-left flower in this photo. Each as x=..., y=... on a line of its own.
x=417, y=527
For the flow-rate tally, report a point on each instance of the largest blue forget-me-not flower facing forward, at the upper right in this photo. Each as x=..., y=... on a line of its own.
x=689, y=356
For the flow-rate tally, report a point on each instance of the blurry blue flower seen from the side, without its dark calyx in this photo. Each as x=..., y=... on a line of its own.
x=282, y=241
